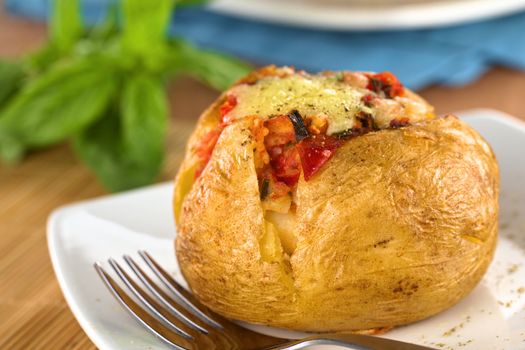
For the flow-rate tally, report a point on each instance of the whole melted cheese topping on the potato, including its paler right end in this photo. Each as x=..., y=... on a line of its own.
x=326, y=97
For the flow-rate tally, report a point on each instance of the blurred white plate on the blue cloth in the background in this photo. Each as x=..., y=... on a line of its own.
x=364, y=15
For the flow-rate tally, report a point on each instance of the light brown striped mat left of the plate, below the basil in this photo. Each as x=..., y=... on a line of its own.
x=33, y=313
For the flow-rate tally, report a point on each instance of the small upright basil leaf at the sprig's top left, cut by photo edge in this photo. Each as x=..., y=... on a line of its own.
x=66, y=24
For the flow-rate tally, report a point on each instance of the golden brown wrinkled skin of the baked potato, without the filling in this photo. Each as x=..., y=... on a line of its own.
x=399, y=225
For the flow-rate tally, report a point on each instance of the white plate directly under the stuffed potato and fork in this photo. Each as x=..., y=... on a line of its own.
x=491, y=317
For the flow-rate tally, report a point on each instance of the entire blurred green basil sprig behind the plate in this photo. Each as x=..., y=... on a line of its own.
x=104, y=88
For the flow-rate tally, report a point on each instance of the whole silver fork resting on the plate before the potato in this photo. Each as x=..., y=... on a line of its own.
x=182, y=322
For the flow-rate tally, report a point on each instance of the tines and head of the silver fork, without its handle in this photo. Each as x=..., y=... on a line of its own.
x=169, y=312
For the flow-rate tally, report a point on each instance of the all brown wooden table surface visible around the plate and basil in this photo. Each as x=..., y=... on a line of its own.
x=33, y=313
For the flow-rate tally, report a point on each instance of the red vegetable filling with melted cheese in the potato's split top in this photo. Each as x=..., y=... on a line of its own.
x=299, y=121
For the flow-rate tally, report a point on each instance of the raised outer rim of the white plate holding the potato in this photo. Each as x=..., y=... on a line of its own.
x=59, y=262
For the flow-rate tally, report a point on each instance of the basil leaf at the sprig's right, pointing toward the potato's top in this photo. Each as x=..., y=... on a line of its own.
x=218, y=70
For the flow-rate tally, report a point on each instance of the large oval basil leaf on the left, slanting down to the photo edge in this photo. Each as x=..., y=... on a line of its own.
x=57, y=104
